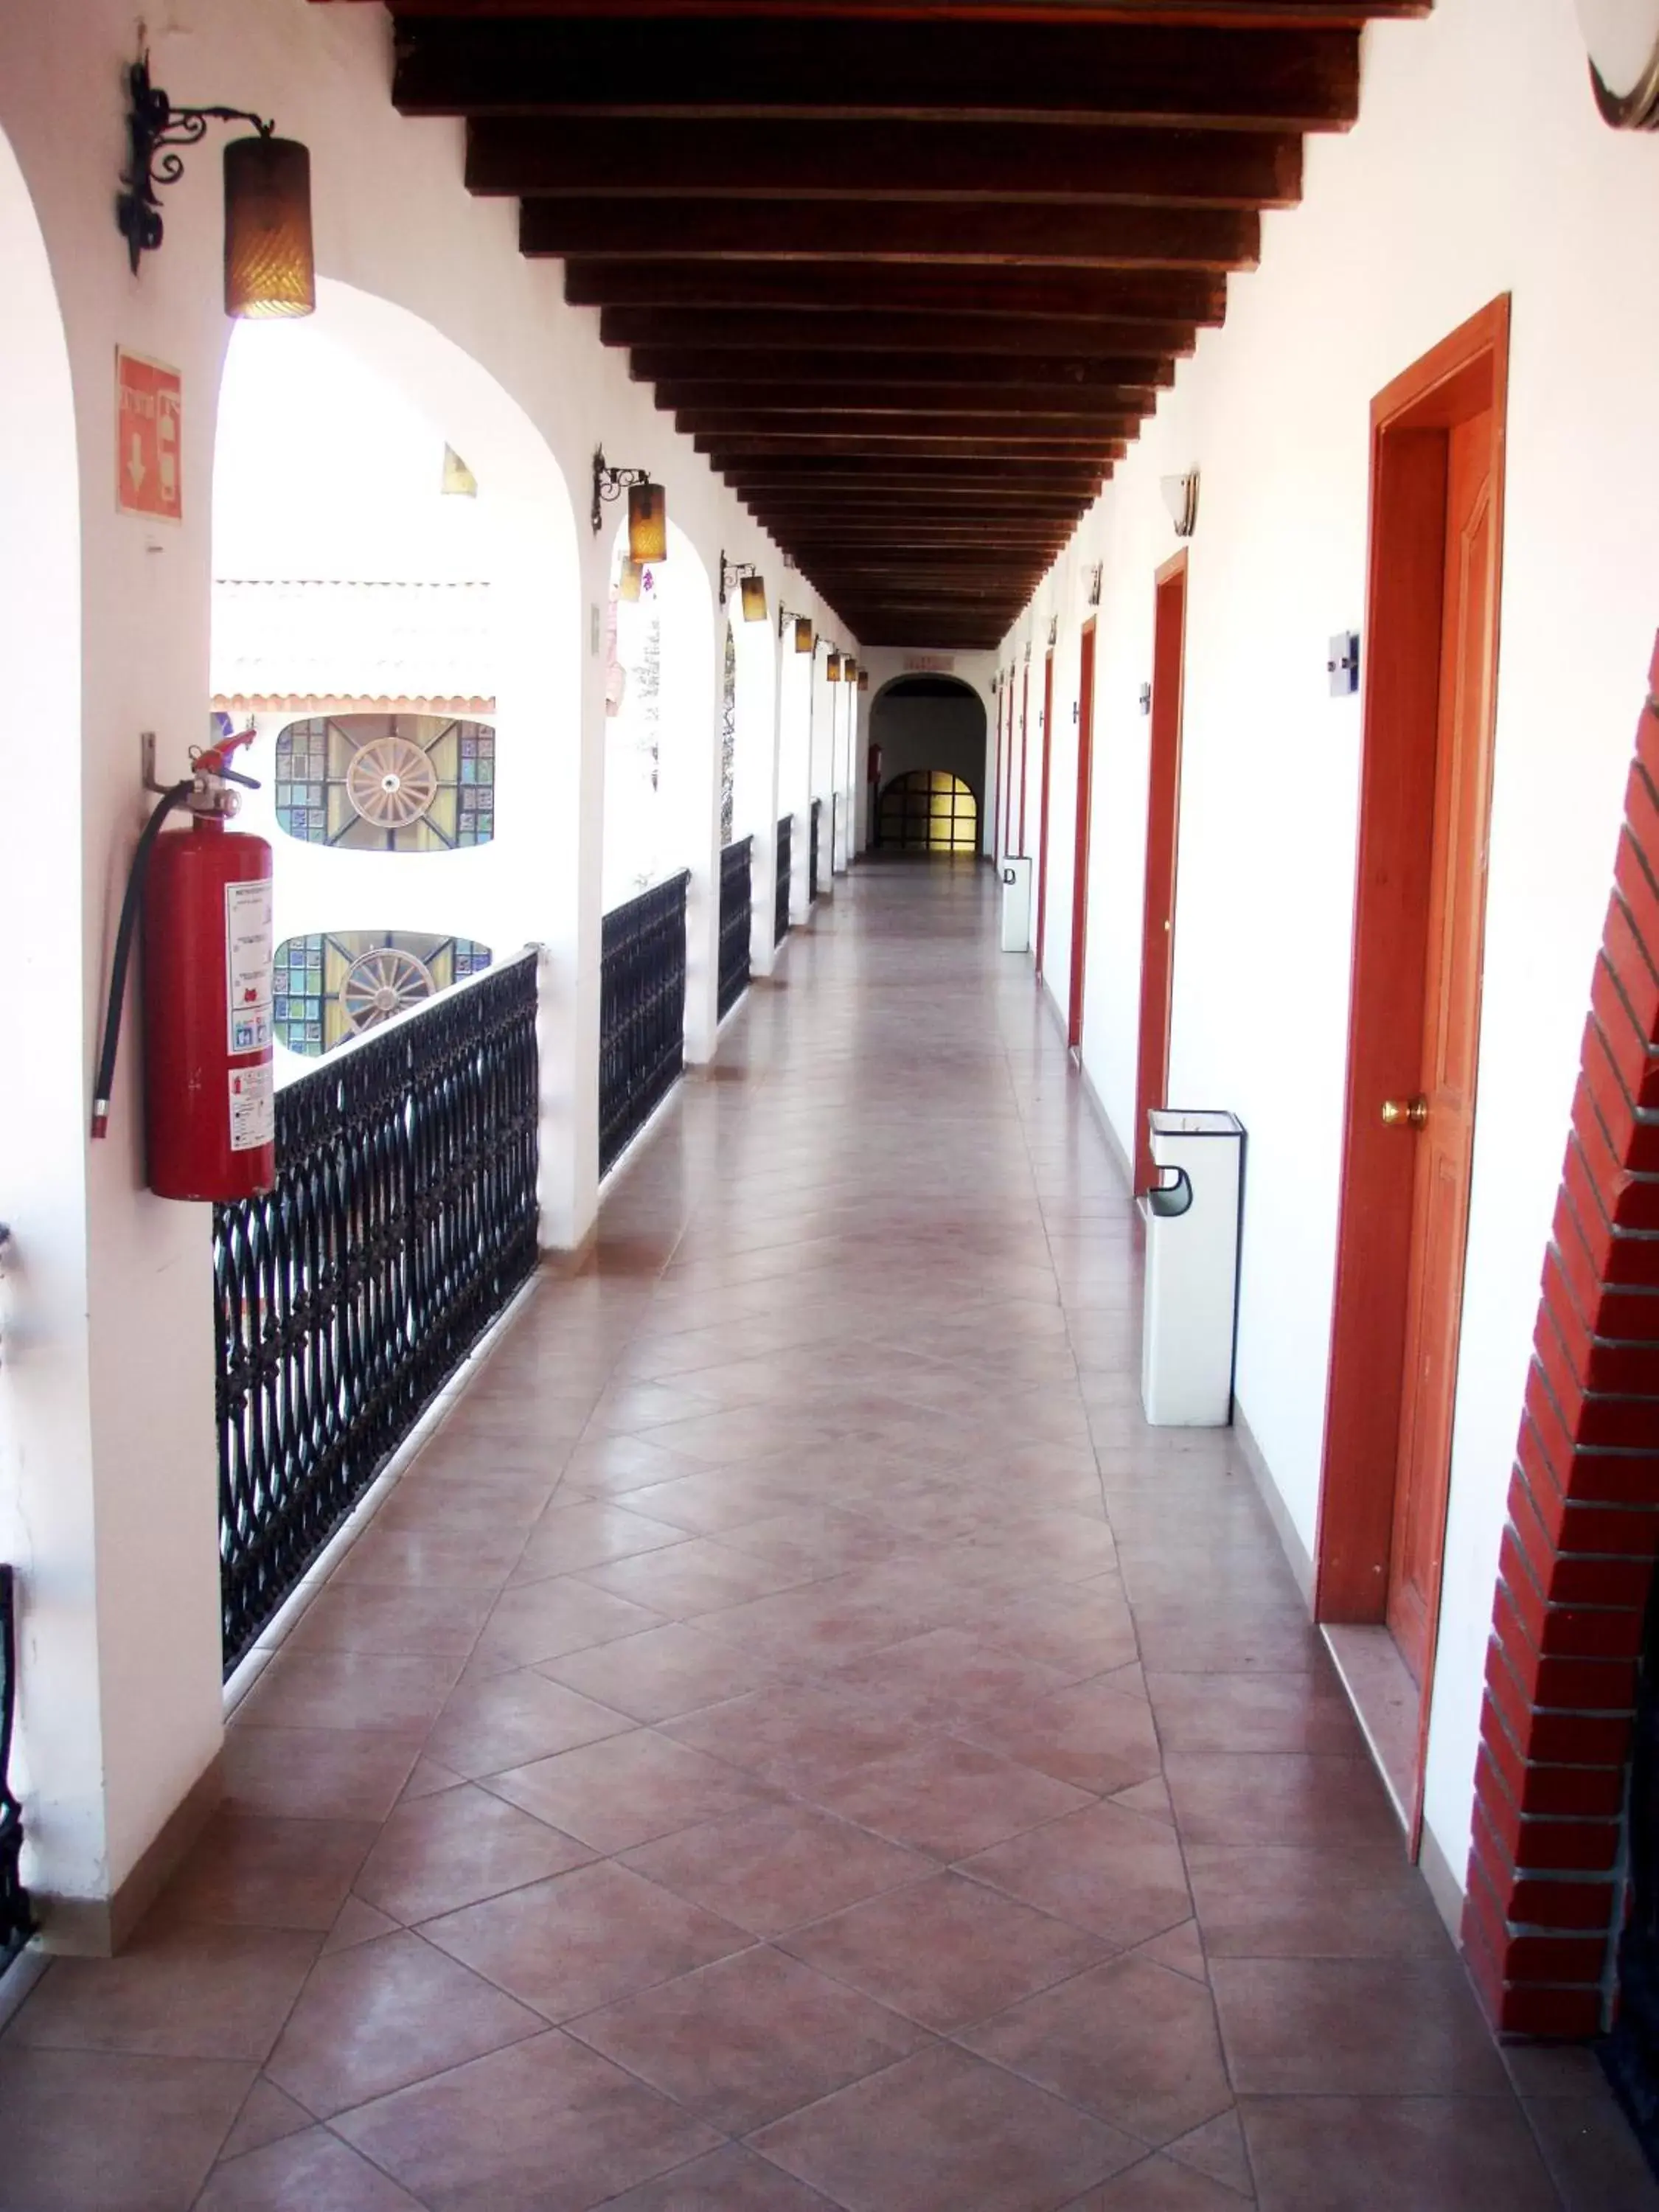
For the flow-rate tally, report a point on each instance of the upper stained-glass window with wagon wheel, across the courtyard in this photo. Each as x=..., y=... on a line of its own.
x=388, y=782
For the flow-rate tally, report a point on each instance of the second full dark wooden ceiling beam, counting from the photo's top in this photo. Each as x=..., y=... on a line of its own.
x=760, y=158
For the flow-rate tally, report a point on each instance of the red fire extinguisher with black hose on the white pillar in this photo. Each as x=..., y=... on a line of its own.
x=205, y=895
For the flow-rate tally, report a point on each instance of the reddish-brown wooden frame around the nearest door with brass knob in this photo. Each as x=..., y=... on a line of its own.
x=1404, y=625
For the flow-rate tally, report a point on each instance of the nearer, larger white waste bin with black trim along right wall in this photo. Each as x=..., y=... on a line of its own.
x=1191, y=1269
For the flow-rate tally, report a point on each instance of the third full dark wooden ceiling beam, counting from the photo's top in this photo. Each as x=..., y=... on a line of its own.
x=997, y=236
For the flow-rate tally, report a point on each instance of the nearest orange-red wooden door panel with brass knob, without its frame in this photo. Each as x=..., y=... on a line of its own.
x=1441, y=1120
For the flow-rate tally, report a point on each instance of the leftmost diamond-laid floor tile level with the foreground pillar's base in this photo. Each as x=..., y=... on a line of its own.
x=457, y=1848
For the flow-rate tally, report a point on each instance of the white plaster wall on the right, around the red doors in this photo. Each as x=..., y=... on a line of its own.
x=1481, y=167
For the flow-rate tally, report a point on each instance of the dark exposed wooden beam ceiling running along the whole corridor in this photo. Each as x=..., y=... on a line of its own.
x=910, y=275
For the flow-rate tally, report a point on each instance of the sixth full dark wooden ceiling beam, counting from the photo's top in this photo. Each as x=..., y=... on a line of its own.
x=901, y=373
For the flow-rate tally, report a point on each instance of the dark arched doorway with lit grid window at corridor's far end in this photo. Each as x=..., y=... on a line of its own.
x=928, y=727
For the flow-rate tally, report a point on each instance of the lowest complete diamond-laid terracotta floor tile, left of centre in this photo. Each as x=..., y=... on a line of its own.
x=751, y=2038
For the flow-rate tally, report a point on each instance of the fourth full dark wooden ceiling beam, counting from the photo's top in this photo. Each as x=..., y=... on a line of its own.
x=859, y=286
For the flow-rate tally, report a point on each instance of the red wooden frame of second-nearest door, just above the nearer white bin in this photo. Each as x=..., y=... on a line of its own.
x=1162, y=857
